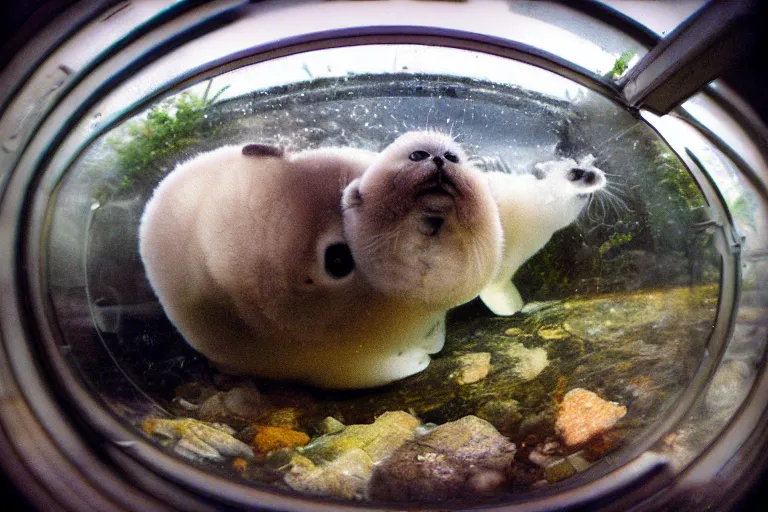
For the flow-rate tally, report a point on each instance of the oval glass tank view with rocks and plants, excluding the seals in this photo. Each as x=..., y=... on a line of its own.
x=626, y=308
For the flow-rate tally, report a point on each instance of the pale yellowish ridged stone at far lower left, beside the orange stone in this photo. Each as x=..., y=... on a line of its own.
x=197, y=440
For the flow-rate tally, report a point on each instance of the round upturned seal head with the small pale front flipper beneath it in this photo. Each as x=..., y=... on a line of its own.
x=425, y=232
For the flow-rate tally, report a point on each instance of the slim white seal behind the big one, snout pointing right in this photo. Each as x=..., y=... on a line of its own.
x=532, y=208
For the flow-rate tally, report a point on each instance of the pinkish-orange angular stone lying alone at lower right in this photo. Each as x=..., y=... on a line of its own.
x=583, y=415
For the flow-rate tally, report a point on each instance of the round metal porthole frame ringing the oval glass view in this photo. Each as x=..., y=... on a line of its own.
x=66, y=442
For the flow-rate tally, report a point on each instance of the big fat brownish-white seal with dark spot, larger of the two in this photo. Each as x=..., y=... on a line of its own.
x=247, y=252
